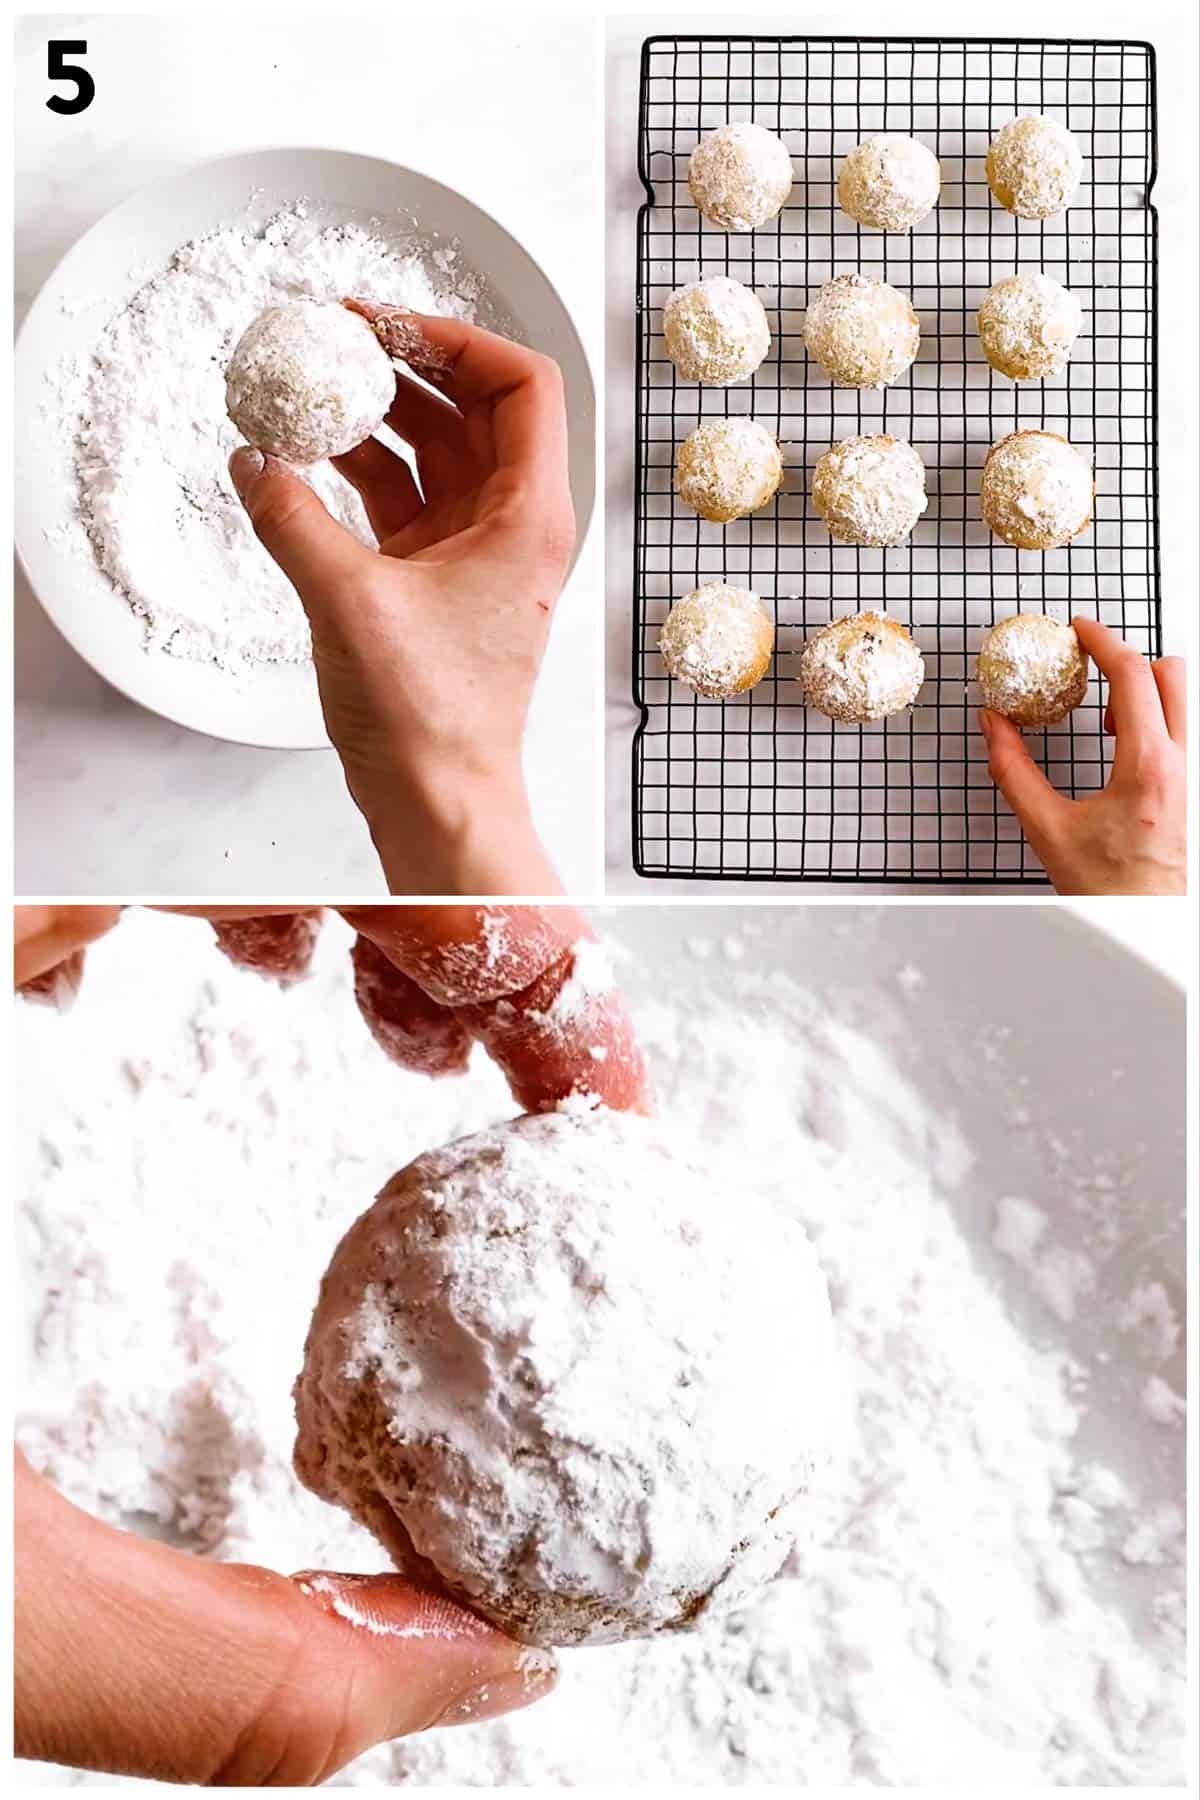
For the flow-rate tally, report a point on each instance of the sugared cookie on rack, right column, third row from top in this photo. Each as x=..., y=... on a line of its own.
x=1037, y=490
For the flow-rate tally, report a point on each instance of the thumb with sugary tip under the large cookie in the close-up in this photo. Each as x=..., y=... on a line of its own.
x=141, y=1660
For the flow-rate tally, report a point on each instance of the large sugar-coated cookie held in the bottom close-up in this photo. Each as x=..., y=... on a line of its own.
x=568, y=1376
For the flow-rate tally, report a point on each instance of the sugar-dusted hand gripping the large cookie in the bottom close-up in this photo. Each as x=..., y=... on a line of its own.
x=143, y=1660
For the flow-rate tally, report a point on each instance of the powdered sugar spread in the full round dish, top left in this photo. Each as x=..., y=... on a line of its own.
x=145, y=426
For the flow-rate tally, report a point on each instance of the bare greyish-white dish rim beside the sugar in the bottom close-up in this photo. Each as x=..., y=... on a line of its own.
x=992, y=1014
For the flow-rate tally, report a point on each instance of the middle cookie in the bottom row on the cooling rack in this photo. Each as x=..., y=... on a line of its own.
x=861, y=669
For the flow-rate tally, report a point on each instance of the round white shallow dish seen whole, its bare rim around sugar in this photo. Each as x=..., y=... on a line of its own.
x=278, y=706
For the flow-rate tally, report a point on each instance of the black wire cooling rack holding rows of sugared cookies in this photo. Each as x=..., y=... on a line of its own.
x=762, y=787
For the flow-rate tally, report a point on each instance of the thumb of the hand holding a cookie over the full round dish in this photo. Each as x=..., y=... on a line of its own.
x=314, y=550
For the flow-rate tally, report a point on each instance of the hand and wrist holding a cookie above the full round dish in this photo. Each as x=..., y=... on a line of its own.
x=427, y=649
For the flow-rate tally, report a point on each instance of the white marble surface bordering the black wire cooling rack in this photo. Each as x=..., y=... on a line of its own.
x=1178, y=262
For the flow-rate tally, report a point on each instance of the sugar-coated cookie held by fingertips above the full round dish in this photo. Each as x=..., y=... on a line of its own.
x=309, y=381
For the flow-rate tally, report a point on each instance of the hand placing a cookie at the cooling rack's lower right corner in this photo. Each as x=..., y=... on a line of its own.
x=1133, y=836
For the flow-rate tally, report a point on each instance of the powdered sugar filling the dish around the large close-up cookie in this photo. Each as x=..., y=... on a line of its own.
x=188, y=1133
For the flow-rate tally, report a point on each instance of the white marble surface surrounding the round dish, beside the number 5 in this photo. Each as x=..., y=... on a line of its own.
x=112, y=800
